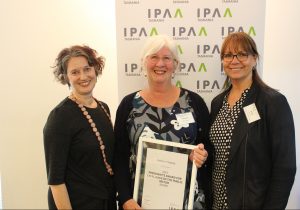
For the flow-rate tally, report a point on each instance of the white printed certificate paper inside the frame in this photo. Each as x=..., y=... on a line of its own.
x=164, y=179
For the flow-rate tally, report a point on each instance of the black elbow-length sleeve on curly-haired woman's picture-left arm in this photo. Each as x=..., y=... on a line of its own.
x=57, y=140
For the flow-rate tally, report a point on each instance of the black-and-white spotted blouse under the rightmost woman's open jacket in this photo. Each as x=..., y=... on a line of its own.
x=220, y=135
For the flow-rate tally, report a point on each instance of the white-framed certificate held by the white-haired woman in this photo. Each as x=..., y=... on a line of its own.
x=165, y=177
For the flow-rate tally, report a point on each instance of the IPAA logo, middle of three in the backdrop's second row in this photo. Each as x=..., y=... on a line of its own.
x=183, y=32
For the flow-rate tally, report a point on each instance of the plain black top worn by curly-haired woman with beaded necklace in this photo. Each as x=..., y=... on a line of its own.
x=72, y=152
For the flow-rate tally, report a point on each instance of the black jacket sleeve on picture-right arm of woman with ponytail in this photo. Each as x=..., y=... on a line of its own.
x=282, y=138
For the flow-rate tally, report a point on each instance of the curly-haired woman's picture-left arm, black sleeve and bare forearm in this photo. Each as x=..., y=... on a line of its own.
x=57, y=139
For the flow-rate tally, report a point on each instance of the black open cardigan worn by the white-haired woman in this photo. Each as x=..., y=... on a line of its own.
x=122, y=151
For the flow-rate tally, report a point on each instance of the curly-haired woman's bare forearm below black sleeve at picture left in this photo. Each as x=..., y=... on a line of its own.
x=61, y=196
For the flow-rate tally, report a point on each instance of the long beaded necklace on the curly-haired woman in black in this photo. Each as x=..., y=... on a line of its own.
x=95, y=130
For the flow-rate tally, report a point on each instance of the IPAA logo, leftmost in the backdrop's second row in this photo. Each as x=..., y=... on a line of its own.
x=135, y=33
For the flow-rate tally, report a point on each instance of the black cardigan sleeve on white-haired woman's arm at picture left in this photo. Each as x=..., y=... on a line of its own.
x=122, y=152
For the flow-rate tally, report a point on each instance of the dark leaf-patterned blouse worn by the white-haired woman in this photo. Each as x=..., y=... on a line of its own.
x=161, y=123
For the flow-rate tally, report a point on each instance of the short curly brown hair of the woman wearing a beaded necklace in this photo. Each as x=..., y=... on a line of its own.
x=61, y=62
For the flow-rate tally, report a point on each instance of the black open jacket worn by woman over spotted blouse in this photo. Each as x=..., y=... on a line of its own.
x=262, y=159
